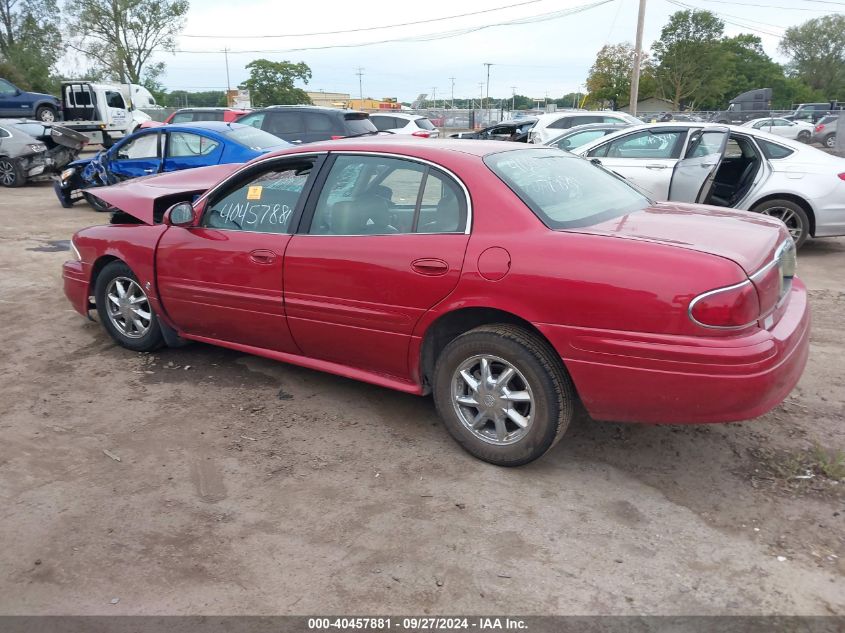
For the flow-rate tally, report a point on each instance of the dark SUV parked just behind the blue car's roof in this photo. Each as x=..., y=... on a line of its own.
x=306, y=124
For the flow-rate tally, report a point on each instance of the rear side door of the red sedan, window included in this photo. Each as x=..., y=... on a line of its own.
x=383, y=242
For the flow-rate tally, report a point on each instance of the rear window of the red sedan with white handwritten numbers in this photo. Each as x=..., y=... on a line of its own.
x=565, y=191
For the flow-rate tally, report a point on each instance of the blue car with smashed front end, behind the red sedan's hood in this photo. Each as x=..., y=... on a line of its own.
x=162, y=149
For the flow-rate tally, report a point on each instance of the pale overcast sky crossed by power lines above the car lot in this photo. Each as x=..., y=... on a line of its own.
x=551, y=56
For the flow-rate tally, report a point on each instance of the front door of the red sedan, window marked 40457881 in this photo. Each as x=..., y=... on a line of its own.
x=222, y=279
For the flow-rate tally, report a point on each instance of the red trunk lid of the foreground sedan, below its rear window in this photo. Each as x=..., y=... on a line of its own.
x=748, y=239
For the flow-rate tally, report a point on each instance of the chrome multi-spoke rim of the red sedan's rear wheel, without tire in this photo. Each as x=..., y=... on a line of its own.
x=492, y=399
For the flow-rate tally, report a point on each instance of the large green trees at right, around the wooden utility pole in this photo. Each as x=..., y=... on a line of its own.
x=695, y=66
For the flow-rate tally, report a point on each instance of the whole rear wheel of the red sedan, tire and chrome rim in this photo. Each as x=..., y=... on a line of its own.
x=503, y=394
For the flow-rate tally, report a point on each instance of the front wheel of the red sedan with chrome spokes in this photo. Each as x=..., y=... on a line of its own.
x=125, y=309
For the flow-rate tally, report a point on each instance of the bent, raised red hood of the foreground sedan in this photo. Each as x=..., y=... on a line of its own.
x=147, y=198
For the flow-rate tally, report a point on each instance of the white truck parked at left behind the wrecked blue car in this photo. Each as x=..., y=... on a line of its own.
x=103, y=112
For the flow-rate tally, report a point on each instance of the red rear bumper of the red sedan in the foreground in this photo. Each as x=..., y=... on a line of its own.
x=628, y=377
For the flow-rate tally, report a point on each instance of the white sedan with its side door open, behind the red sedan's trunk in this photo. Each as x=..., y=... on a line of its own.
x=731, y=166
